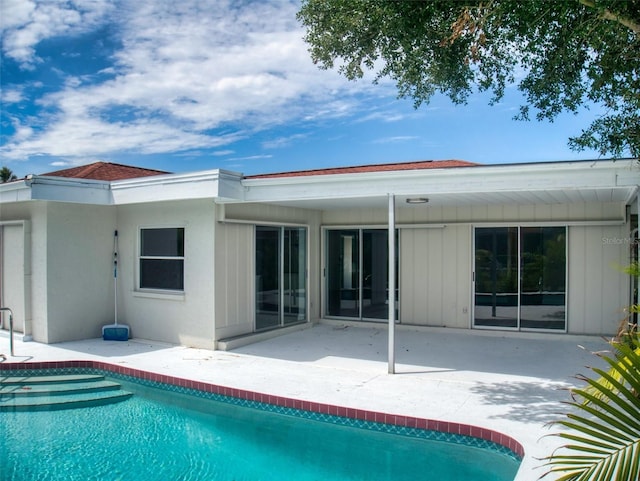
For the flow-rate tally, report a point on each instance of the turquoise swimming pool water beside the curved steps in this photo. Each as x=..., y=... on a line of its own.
x=168, y=431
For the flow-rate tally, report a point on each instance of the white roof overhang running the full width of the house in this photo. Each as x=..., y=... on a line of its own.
x=514, y=184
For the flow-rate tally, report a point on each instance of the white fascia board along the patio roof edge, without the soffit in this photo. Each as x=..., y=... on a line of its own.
x=478, y=179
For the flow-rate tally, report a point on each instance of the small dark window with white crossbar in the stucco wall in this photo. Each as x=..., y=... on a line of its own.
x=162, y=258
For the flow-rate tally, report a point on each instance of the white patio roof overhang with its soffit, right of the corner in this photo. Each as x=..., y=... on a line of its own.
x=520, y=184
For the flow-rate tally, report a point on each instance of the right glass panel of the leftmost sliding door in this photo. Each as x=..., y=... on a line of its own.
x=295, y=282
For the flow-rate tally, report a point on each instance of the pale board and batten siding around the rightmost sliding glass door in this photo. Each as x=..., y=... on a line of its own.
x=436, y=264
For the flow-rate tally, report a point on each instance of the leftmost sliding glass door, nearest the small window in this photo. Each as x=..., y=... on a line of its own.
x=281, y=286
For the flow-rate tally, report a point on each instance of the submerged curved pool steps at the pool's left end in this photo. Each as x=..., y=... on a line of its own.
x=47, y=393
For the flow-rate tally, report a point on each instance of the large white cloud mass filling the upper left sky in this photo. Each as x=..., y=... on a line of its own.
x=185, y=70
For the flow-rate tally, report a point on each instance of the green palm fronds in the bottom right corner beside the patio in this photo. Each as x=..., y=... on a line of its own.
x=603, y=437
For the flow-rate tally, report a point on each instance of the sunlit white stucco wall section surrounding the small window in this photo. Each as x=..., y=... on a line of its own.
x=180, y=318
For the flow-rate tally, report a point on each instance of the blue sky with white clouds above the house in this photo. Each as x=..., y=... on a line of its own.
x=193, y=85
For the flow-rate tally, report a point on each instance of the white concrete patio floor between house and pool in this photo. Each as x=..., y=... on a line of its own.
x=507, y=382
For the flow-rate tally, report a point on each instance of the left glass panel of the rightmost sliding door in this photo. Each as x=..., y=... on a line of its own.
x=496, y=277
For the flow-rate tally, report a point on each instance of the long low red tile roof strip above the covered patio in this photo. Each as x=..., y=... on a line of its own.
x=425, y=164
